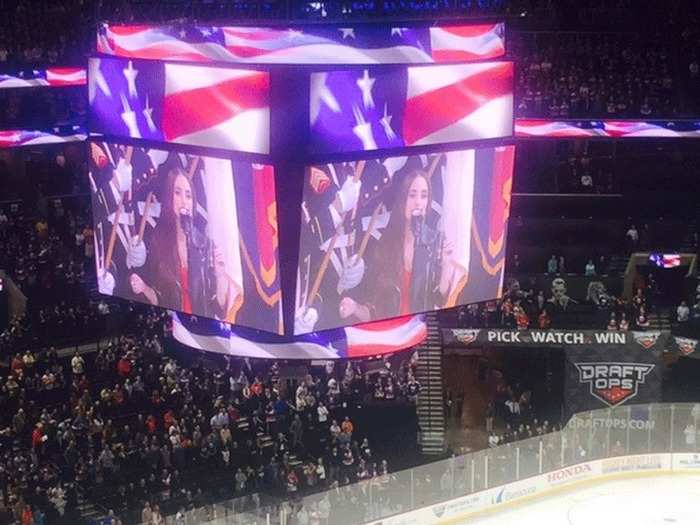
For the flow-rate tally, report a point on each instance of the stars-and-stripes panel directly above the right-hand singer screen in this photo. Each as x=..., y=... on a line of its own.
x=370, y=109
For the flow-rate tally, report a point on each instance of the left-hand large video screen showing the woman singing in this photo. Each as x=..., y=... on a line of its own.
x=195, y=234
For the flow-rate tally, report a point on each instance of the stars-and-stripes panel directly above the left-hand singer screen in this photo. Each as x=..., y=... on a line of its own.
x=185, y=104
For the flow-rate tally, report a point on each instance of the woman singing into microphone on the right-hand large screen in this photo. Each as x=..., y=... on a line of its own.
x=407, y=261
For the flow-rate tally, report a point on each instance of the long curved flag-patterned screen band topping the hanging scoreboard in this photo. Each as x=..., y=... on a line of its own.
x=310, y=45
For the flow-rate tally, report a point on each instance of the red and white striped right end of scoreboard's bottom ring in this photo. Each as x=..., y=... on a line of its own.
x=381, y=337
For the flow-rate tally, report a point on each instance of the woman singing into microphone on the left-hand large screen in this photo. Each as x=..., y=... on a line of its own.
x=181, y=260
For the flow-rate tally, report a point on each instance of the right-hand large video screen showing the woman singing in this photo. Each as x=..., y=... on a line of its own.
x=388, y=237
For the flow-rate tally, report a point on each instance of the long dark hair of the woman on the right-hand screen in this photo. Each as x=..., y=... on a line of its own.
x=388, y=256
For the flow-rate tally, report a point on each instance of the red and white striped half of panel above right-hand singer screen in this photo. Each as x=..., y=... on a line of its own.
x=451, y=103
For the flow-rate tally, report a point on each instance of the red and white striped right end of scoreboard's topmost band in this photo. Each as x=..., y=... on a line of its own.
x=467, y=42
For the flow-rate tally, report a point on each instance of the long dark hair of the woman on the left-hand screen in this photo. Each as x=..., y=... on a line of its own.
x=164, y=245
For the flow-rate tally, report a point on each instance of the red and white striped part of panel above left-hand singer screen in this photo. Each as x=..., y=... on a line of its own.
x=217, y=107
